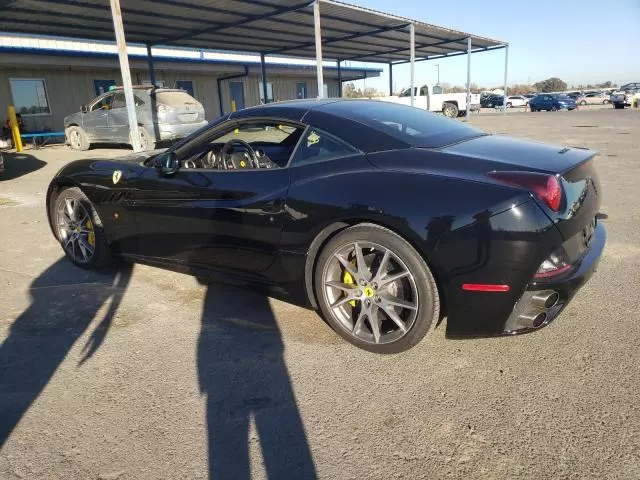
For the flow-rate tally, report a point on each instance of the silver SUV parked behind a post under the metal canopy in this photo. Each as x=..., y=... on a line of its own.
x=163, y=114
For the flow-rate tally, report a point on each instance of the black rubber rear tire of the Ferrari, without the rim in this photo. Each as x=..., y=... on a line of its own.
x=428, y=300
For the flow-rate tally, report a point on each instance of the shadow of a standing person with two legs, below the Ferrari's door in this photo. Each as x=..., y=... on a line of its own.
x=243, y=374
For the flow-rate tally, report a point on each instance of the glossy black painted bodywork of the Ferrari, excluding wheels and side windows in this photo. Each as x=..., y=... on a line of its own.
x=266, y=226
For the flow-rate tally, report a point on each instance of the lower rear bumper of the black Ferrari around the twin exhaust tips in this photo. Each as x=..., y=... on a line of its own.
x=566, y=286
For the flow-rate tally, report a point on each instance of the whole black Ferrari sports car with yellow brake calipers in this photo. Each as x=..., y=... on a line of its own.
x=383, y=217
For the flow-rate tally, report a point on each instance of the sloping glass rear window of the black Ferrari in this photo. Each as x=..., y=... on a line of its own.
x=411, y=125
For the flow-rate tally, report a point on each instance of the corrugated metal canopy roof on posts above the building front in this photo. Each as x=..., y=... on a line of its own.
x=274, y=27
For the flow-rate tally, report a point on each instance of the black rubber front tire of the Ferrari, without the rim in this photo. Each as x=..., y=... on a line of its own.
x=101, y=256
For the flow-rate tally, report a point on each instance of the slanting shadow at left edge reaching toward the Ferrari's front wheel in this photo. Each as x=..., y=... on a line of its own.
x=64, y=302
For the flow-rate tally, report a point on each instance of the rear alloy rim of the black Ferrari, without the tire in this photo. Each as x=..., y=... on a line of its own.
x=371, y=292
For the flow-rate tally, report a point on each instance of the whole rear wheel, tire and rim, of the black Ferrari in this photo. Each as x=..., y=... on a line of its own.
x=375, y=290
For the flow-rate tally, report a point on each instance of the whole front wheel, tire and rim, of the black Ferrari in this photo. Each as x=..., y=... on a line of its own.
x=79, y=230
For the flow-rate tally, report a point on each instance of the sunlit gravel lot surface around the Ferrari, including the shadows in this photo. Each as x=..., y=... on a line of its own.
x=145, y=374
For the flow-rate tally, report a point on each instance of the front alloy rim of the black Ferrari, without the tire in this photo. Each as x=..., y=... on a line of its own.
x=76, y=230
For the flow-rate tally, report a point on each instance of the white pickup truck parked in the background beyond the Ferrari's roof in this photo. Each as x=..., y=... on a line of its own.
x=434, y=99
